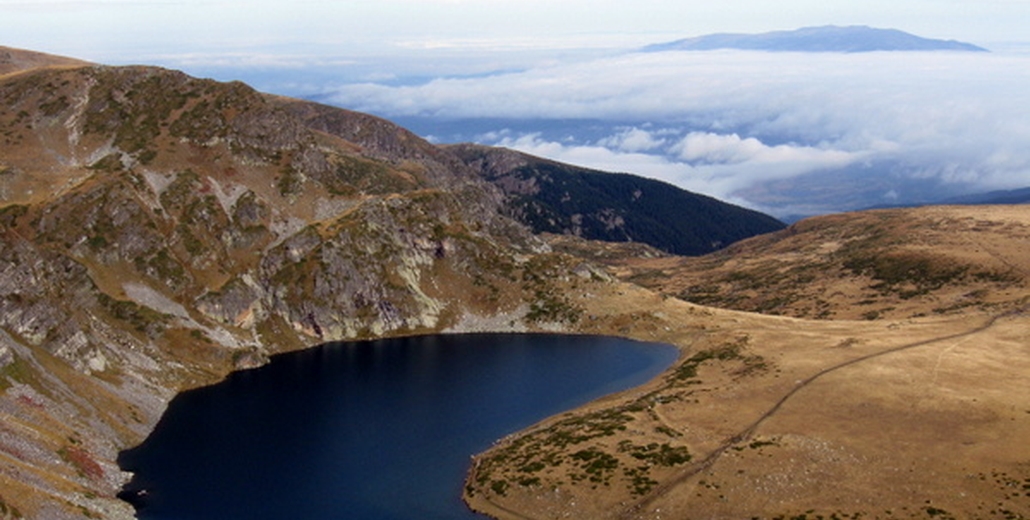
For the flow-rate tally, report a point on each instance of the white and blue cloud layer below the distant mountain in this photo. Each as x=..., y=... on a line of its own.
x=724, y=123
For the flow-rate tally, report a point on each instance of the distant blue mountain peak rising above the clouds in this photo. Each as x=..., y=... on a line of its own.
x=818, y=40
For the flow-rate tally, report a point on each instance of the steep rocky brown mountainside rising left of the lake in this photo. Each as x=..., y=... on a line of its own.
x=160, y=231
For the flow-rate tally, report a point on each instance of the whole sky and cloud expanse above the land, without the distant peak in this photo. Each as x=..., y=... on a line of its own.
x=785, y=133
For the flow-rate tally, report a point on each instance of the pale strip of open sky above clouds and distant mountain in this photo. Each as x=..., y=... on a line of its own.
x=120, y=30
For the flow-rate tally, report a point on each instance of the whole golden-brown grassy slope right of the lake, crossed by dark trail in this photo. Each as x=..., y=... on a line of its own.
x=920, y=413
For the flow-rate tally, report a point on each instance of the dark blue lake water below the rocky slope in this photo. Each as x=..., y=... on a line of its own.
x=380, y=430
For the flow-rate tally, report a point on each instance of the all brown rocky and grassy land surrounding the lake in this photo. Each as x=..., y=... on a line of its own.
x=159, y=232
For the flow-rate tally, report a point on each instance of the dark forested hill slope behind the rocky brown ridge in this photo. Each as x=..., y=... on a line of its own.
x=551, y=197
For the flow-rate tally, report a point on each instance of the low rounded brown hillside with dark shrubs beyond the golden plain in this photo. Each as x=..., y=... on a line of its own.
x=887, y=264
